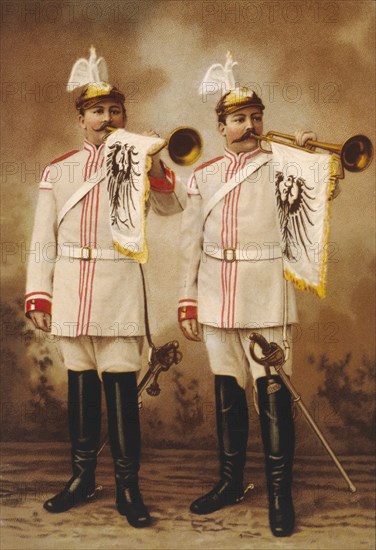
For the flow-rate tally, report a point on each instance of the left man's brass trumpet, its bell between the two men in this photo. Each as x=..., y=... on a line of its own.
x=184, y=144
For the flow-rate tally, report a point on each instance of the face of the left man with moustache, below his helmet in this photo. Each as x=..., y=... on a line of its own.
x=95, y=120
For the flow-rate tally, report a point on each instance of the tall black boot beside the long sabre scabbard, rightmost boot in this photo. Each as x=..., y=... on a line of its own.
x=278, y=436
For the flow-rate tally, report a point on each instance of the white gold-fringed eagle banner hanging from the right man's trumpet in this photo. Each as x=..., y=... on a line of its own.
x=304, y=182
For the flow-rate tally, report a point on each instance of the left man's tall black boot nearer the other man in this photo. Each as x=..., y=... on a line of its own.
x=124, y=432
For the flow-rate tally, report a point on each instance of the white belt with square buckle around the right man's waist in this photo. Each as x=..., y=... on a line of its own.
x=252, y=253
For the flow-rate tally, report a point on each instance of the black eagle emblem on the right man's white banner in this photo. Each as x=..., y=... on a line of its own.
x=294, y=205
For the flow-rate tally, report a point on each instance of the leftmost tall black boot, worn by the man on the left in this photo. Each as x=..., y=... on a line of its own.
x=84, y=412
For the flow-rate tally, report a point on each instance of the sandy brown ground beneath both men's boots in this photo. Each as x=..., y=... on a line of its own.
x=328, y=515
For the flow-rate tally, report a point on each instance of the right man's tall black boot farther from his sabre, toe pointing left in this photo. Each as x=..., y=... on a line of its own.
x=232, y=431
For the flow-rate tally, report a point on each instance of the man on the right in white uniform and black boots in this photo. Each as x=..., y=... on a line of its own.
x=233, y=284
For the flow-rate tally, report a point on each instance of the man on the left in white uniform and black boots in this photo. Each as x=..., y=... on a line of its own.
x=97, y=291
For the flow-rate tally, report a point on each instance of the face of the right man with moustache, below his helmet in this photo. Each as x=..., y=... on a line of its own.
x=238, y=126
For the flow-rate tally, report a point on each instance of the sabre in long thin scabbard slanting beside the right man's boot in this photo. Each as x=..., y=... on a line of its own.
x=275, y=357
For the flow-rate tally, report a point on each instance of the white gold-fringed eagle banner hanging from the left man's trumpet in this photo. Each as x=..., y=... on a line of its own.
x=128, y=161
